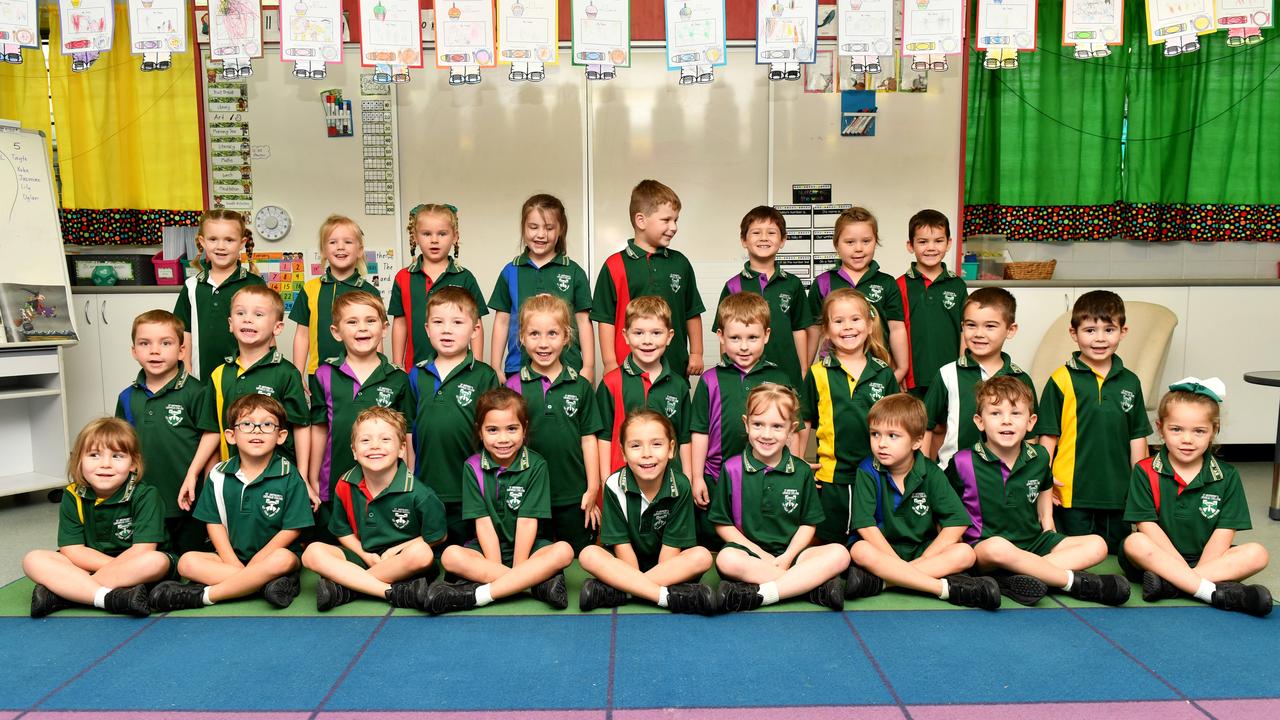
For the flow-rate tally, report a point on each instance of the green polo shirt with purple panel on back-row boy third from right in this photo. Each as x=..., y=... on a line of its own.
x=788, y=313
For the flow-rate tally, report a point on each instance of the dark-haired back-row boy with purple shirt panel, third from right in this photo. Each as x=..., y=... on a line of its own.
x=764, y=233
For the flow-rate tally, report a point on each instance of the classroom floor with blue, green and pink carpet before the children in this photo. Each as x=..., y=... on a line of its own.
x=892, y=657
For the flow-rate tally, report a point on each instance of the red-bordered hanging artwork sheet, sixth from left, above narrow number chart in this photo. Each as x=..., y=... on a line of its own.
x=391, y=39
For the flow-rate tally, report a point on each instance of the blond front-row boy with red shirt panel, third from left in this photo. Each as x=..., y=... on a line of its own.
x=385, y=521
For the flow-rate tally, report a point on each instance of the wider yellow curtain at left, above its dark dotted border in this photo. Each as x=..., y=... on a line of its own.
x=126, y=139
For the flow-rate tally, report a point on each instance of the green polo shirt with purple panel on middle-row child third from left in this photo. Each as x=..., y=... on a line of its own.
x=339, y=397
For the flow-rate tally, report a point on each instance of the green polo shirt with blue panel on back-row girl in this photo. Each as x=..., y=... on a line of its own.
x=522, y=280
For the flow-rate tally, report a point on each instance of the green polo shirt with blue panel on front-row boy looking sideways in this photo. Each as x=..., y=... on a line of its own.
x=909, y=518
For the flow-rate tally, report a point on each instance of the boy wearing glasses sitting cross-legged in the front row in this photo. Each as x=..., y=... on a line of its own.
x=257, y=508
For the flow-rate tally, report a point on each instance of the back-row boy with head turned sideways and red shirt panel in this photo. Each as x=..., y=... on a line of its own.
x=648, y=266
